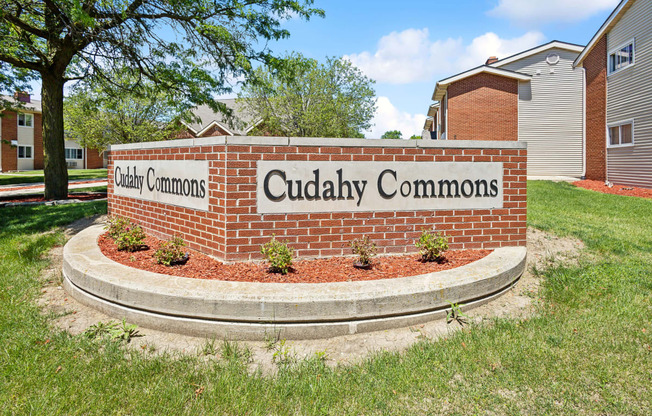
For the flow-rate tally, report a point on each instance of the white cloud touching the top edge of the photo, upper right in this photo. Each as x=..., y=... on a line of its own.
x=529, y=12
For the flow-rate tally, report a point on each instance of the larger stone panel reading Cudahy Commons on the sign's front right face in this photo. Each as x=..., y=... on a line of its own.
x=300, y=186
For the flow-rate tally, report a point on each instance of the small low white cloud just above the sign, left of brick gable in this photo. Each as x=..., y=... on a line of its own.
x=389, y=117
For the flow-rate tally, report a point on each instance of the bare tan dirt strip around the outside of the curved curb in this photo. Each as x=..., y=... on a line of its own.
x=543, y=250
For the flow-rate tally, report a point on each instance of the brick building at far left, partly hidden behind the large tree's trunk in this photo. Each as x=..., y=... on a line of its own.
x=21, y=140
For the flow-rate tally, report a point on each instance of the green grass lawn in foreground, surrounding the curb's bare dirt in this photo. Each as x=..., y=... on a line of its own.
x=587, y=351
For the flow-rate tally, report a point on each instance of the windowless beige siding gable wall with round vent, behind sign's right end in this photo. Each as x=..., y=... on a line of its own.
x=550, y=116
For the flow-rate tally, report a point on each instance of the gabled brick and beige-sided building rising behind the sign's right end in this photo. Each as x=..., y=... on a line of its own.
x=535, y=96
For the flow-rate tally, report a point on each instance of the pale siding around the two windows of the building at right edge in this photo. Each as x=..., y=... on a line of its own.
x=629, y=96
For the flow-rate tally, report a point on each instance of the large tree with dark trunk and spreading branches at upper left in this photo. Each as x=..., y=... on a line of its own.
x=210, y=43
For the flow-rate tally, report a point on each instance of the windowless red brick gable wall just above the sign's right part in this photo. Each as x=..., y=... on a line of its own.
x=483, y=107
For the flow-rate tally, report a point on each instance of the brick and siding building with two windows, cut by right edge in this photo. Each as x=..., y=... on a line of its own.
x=618, y=66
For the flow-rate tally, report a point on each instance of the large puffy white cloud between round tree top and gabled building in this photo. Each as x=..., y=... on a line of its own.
x=410, y=55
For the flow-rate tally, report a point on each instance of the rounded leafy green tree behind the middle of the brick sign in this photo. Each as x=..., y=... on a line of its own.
x=311, y=99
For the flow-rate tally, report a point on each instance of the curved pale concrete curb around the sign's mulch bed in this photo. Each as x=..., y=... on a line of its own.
x=245, y=310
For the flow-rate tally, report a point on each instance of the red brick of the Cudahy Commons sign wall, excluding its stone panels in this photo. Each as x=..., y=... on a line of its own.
x=233, y=230
